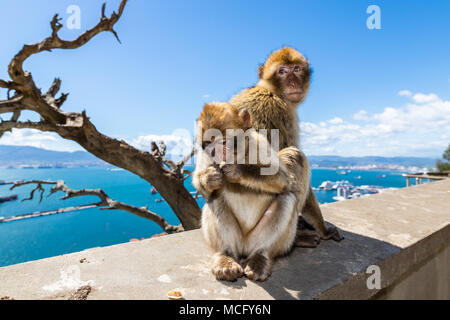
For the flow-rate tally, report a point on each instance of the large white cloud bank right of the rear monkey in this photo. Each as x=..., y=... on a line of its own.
x=419, y=128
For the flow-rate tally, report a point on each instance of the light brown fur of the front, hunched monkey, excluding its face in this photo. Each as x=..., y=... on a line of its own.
x=243, y=219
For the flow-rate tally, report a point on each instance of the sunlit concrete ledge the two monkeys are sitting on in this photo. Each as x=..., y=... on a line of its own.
x=405, y=232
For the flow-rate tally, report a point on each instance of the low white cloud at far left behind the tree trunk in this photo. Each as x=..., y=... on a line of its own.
x=38, y=139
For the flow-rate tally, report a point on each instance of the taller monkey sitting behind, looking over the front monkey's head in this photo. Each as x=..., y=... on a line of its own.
x=283, y=84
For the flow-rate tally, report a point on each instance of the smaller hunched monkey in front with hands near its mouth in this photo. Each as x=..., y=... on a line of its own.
x=249, y=217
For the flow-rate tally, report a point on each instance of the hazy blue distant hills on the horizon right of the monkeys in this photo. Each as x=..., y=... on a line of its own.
x=335, y=161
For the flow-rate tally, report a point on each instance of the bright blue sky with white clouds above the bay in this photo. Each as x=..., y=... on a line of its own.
x=374, y=92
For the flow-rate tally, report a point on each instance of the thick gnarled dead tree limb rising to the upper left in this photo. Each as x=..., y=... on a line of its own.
x=154, y=168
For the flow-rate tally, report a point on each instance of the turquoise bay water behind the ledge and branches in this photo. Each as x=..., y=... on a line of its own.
x=38, y=238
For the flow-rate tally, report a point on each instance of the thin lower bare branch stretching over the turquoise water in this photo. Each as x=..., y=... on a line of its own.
x=105, y=203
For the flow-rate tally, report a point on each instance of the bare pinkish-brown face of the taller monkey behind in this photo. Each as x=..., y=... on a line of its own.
x=292, y=82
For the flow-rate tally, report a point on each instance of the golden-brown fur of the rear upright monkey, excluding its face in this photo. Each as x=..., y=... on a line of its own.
x=269, y=111
